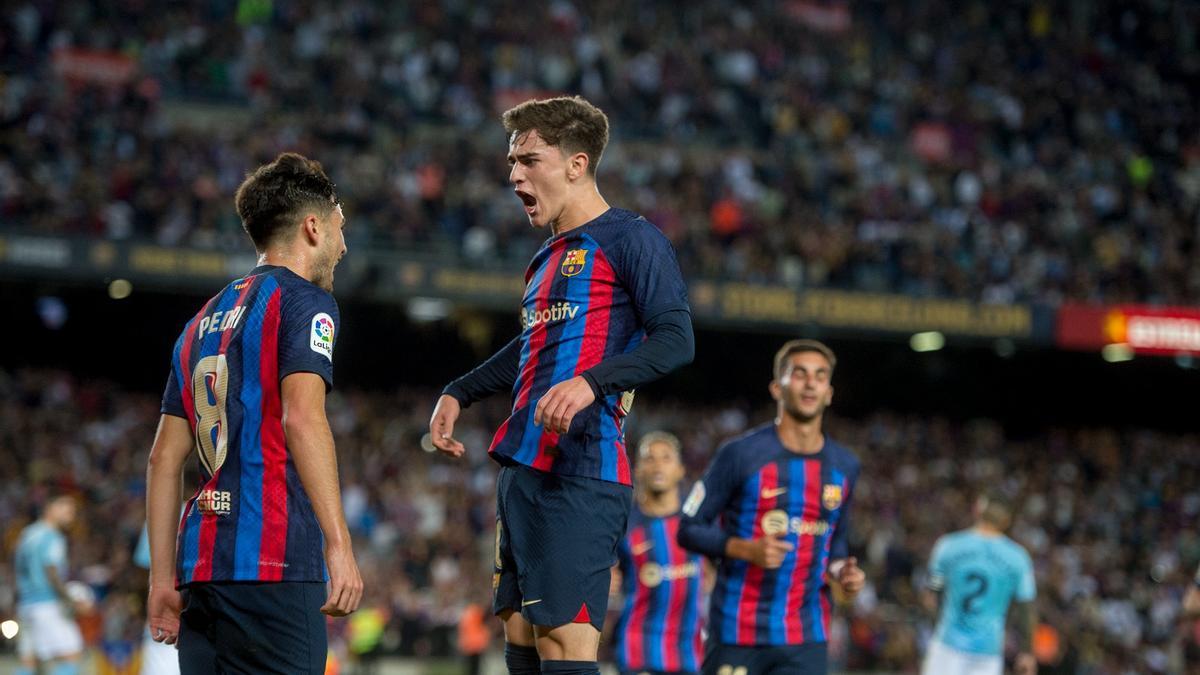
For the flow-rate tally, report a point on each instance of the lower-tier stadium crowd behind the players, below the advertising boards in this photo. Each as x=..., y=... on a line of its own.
x=1107, y=516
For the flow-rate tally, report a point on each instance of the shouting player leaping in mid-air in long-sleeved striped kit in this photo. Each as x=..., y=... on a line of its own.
x=605, y=310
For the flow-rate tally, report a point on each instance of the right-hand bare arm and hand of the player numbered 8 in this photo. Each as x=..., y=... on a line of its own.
x=311, y=443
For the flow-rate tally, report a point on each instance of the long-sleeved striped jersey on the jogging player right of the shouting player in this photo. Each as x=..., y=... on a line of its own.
x=755, y=486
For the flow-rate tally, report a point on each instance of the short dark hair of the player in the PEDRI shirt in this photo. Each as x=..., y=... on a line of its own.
x=275, y=195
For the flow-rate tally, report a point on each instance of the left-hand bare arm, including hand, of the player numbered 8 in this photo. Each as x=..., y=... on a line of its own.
x=172, y=446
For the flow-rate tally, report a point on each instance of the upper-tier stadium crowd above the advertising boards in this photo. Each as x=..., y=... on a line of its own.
x=1000, y=152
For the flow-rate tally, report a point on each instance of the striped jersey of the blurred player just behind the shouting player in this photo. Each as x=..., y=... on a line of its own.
x=659, y=628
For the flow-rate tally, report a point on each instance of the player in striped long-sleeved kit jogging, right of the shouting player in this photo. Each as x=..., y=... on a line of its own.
x=775, y=509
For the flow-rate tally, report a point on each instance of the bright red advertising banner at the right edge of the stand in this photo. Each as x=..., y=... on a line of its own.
x=1147, y=331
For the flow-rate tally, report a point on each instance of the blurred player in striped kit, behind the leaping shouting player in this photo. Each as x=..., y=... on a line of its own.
x=659, y=628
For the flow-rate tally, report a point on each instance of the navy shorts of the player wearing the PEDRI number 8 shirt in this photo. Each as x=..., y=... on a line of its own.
x=247, y=628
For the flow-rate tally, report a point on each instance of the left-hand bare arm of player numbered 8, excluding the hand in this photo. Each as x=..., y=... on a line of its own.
x=165, y=471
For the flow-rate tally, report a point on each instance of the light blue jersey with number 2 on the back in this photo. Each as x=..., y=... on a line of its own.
x=980, y=577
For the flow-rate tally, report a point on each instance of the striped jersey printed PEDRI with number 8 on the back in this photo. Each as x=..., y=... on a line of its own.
x=250, y=521
